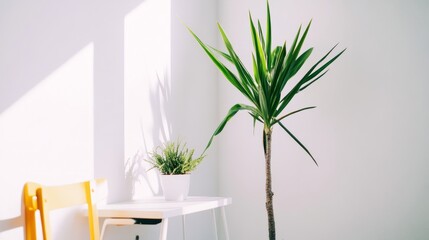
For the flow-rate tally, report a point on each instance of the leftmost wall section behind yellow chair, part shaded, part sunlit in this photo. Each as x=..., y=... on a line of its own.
x=61, y=99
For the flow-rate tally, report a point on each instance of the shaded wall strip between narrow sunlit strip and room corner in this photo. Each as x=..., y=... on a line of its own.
x=194, y=85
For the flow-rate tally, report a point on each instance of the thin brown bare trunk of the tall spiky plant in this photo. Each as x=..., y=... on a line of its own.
x=269, y=193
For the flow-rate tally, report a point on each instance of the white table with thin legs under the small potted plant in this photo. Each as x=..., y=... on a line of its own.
x=158, y=208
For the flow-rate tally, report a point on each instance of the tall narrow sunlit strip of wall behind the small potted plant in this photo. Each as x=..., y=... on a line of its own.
x=147, y=88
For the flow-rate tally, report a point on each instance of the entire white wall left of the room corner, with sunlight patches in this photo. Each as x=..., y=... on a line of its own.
x=80, y=98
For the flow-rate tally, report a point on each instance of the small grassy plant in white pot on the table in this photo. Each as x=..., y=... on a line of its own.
x=175, y=162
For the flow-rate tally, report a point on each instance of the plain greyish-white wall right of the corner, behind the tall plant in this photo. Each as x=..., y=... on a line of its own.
x=369, y=132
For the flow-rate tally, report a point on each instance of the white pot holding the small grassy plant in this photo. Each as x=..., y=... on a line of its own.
x=175, y=187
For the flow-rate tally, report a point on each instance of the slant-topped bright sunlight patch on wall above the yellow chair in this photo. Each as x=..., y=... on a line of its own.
x=47, y=134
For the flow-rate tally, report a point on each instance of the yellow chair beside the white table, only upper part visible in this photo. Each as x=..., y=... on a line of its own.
x=49, y=198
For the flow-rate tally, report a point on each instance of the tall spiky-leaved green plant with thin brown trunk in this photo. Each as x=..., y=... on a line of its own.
x=273, y=68
